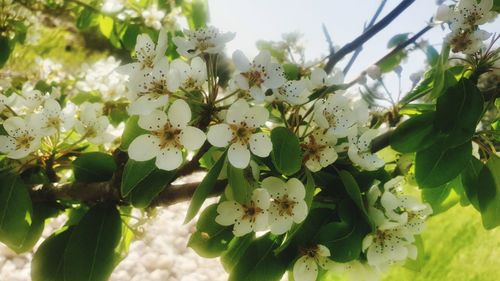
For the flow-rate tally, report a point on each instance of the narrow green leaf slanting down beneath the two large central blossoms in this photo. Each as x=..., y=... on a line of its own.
x=203, y=190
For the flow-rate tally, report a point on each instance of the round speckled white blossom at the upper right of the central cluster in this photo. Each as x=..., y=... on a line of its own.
x=335, y=114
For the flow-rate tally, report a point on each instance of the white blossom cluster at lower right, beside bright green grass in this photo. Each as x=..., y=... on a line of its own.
x=398, y=218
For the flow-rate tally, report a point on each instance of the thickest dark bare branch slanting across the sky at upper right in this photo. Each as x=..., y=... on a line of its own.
x=334, y=58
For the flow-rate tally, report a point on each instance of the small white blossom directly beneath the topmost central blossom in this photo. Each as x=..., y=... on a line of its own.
x=192, y=76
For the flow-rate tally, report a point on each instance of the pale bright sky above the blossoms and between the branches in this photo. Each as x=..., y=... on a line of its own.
x=254, y=20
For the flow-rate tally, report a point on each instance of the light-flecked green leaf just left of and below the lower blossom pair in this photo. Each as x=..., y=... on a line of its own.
x=210, y=238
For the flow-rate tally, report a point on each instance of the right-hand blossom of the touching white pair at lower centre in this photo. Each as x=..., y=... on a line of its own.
x=288, y=205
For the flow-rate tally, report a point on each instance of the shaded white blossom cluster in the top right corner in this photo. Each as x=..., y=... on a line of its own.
x=464, y=19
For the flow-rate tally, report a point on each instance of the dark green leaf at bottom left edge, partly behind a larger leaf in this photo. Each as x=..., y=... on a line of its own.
x=47, y=263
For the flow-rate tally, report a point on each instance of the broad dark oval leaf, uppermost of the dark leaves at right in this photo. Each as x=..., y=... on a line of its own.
x=458, y=111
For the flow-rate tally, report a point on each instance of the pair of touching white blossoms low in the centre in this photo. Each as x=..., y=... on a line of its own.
x=276, y=205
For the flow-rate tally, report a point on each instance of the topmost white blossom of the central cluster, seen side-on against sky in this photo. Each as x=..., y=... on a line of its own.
x=206, y=40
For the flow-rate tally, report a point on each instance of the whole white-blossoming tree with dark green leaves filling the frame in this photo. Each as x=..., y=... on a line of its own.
x=309, y=176
